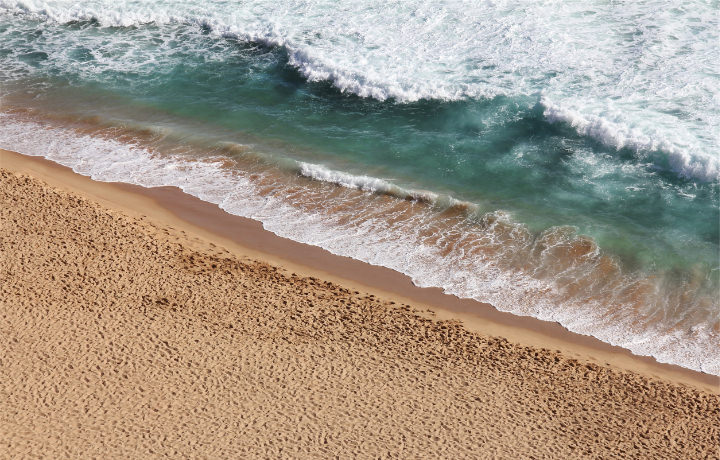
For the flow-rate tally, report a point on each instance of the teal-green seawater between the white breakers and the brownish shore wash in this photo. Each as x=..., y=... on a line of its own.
x=500, y=153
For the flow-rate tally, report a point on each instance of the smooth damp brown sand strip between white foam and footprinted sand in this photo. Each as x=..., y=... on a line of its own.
x=315, y=261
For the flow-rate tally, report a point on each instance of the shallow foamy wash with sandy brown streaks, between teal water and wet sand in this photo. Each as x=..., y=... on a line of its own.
x=554, y=275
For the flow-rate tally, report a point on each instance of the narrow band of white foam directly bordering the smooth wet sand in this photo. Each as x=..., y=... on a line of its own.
x=108, y=161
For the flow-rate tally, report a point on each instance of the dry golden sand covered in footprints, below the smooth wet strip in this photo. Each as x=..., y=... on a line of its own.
x=124, y=337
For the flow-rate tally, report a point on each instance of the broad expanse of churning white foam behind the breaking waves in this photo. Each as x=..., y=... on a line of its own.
x=655, y=65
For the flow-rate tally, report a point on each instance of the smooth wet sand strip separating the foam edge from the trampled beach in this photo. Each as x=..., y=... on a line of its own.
x=242, y=237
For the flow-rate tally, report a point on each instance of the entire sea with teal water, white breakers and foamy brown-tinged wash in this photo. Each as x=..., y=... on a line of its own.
x=555, y=159
